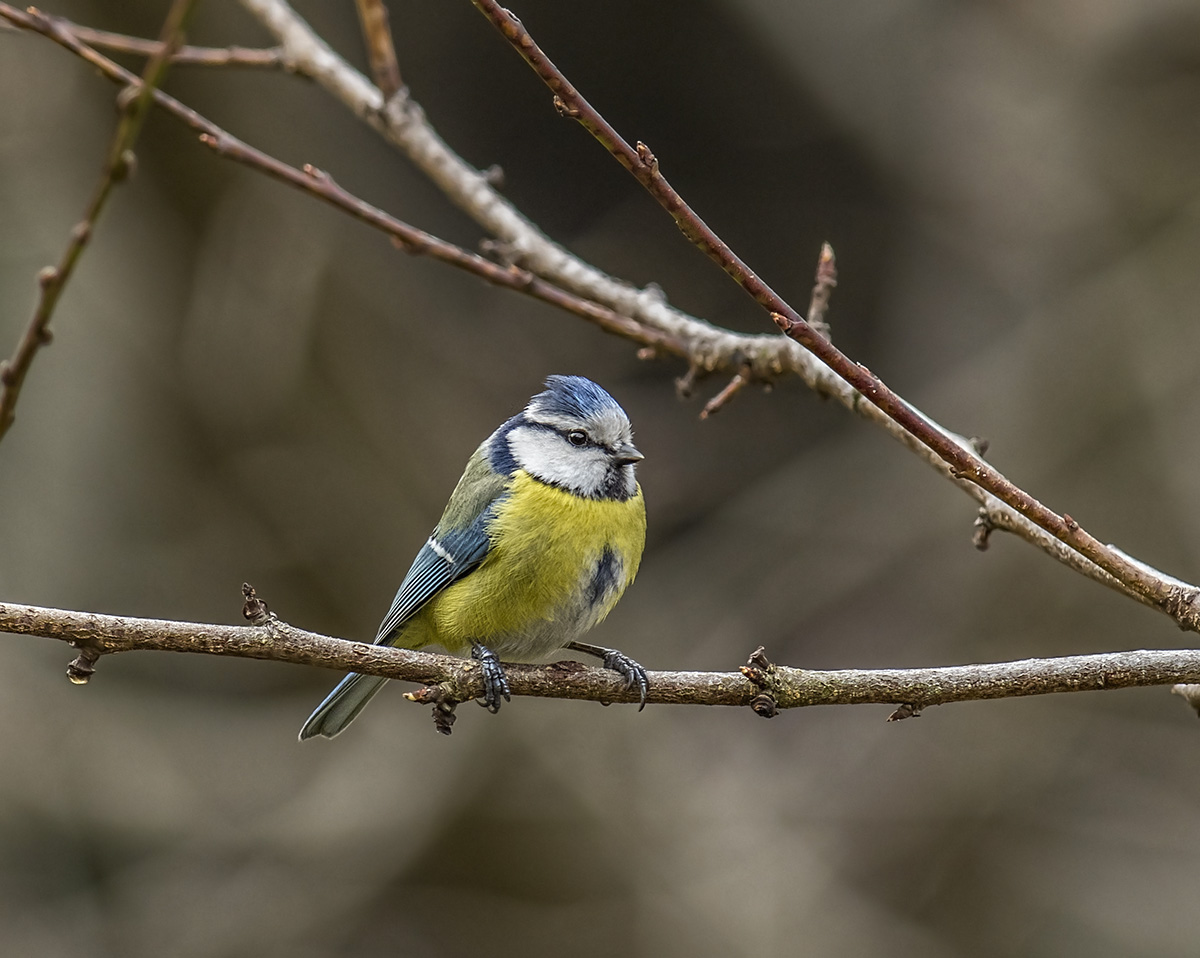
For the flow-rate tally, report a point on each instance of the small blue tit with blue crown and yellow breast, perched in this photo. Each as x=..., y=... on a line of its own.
x=539, y=541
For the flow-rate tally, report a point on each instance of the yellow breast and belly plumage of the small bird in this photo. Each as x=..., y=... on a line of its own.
x=541, y=585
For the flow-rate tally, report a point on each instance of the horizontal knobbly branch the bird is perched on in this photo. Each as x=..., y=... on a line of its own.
x=98, y=636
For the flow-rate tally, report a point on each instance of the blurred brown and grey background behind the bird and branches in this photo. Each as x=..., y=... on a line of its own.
x=247, y=386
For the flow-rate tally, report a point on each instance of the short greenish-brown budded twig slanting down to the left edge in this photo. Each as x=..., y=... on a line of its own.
x=118, y=166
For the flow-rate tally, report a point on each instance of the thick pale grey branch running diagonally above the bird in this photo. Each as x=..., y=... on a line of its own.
x=405, y=125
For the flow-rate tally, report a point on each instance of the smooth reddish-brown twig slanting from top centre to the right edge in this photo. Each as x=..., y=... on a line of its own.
x=962, y=462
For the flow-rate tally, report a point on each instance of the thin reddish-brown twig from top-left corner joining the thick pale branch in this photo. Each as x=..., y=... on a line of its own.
x=319, y=184
